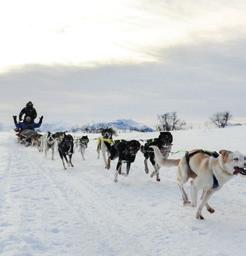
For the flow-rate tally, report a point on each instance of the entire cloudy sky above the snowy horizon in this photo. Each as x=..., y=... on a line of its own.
x=81, y=61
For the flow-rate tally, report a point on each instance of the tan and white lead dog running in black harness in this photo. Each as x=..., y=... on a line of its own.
x=207, y=172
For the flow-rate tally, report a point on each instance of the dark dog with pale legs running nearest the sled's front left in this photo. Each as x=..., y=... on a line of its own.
x=65, y=148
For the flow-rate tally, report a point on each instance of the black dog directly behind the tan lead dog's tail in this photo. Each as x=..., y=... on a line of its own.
x=164, y=143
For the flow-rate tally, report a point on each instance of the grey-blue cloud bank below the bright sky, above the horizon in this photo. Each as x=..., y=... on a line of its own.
x=195, y=81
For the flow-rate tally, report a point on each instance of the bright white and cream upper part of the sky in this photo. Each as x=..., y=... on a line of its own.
x=91, y=33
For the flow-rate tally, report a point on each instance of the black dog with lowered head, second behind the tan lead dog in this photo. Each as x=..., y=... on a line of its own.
x=125, y=151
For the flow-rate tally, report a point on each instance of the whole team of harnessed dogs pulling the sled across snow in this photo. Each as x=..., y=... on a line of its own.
x=208, y=171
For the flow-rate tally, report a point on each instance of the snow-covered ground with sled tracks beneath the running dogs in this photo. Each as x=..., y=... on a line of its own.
x=45, y=210
